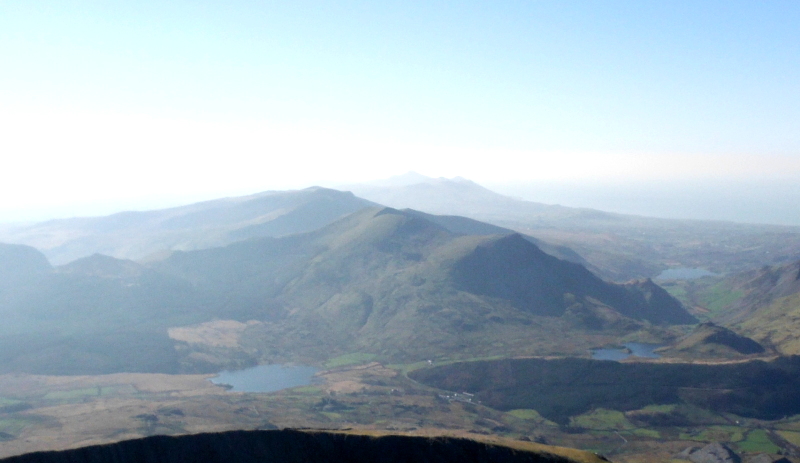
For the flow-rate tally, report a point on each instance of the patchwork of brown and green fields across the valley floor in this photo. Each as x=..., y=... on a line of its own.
x=57, y=412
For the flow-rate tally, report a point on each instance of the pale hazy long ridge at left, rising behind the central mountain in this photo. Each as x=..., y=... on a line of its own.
x=136, y=235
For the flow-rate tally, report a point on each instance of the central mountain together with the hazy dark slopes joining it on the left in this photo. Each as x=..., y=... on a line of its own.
x=380, y=281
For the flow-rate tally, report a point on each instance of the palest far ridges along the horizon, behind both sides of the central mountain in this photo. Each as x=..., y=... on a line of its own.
x=616, y=246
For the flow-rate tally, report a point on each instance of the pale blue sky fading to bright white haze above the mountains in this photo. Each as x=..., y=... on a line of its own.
x=108, y=105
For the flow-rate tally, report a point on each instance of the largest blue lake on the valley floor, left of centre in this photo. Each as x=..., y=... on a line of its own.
x=266, y=378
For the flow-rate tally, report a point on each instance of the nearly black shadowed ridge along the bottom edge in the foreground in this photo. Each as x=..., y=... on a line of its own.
x=296, y=447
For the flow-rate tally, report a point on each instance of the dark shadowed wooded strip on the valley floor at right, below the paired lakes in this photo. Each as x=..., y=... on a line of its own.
x=561, y=388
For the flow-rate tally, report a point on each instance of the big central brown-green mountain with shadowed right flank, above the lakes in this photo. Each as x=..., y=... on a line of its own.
x=391, y=282
